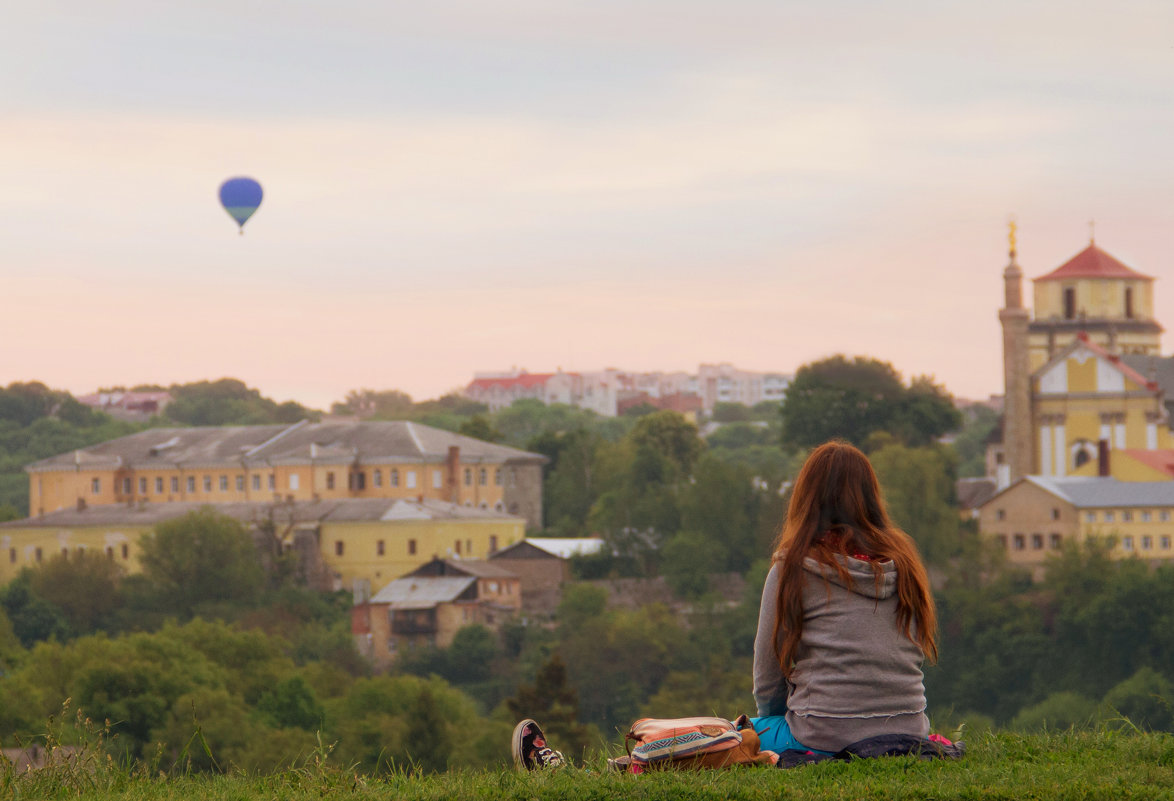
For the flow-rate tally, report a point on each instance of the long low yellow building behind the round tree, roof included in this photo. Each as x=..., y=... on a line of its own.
x=349, y=543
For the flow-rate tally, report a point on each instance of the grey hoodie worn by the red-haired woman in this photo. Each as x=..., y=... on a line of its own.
x=856, y=675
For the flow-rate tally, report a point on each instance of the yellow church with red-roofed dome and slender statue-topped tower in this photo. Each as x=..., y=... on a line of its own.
x=1087, y=389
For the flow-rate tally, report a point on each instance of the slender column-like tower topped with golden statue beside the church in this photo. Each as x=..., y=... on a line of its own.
x=1017, y=429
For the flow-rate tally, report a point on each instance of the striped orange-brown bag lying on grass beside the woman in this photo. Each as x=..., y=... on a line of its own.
x=692, y=744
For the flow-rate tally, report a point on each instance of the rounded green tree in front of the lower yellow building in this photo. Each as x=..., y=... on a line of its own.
x=203, y=557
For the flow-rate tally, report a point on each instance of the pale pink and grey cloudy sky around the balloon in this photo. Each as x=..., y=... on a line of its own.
x=462, y=186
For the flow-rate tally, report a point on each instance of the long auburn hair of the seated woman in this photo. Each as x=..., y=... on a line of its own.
x=836, y=509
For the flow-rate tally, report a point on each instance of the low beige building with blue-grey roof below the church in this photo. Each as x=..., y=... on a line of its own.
x=1038, y=516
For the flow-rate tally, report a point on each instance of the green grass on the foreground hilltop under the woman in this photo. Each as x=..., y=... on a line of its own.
x=1072, y=765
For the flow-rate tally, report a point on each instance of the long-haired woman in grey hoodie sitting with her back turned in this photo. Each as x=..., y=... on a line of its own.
x=847, y=616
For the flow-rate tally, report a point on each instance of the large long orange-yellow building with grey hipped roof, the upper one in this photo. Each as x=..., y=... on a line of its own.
x=301, y=462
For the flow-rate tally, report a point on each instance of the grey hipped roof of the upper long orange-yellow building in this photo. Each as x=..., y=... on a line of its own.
x=366, y=442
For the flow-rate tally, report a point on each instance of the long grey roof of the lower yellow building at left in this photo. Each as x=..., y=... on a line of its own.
x=339, y=510
